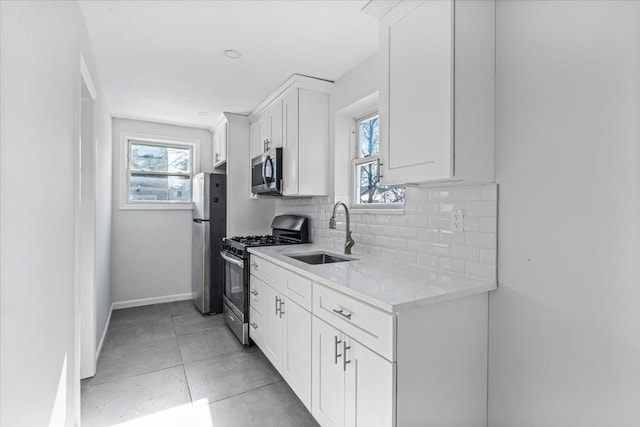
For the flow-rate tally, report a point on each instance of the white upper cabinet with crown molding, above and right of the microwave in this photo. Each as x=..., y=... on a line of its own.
x=296, y=118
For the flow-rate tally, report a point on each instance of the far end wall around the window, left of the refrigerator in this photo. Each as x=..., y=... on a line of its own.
x=151, y=249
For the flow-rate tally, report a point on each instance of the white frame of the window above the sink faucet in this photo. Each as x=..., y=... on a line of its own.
x=357, y=161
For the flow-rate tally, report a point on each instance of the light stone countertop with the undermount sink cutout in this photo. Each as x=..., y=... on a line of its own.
x=387, y=285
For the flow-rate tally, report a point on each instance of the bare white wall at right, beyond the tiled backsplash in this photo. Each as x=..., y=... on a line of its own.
x=565, y=320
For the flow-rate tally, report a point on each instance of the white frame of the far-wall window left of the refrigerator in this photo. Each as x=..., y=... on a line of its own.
x=126, y=139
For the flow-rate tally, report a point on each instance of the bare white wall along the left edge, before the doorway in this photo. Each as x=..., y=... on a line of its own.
x=41, y=44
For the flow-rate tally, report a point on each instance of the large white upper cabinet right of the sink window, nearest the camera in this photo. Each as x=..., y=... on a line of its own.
x=437, y=92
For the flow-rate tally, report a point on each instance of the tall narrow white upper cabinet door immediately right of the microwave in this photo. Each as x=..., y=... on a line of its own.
x=290, y=143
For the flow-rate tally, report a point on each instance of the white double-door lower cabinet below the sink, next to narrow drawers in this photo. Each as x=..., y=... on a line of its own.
x=285, y=339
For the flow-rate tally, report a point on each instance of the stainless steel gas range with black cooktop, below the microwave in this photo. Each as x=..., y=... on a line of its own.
x=286, y=230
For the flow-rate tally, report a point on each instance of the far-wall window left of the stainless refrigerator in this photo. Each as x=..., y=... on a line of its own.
x=158, y=174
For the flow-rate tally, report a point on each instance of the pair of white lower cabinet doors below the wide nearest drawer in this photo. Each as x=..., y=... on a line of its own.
x=352, y=385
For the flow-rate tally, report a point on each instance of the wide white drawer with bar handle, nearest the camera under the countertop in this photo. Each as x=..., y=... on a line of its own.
x=368, y=325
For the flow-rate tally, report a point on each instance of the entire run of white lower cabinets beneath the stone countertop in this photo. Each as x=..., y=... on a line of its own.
x=354, y=365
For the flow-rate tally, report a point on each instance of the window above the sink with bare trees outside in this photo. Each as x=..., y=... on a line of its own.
x=367, y=190
